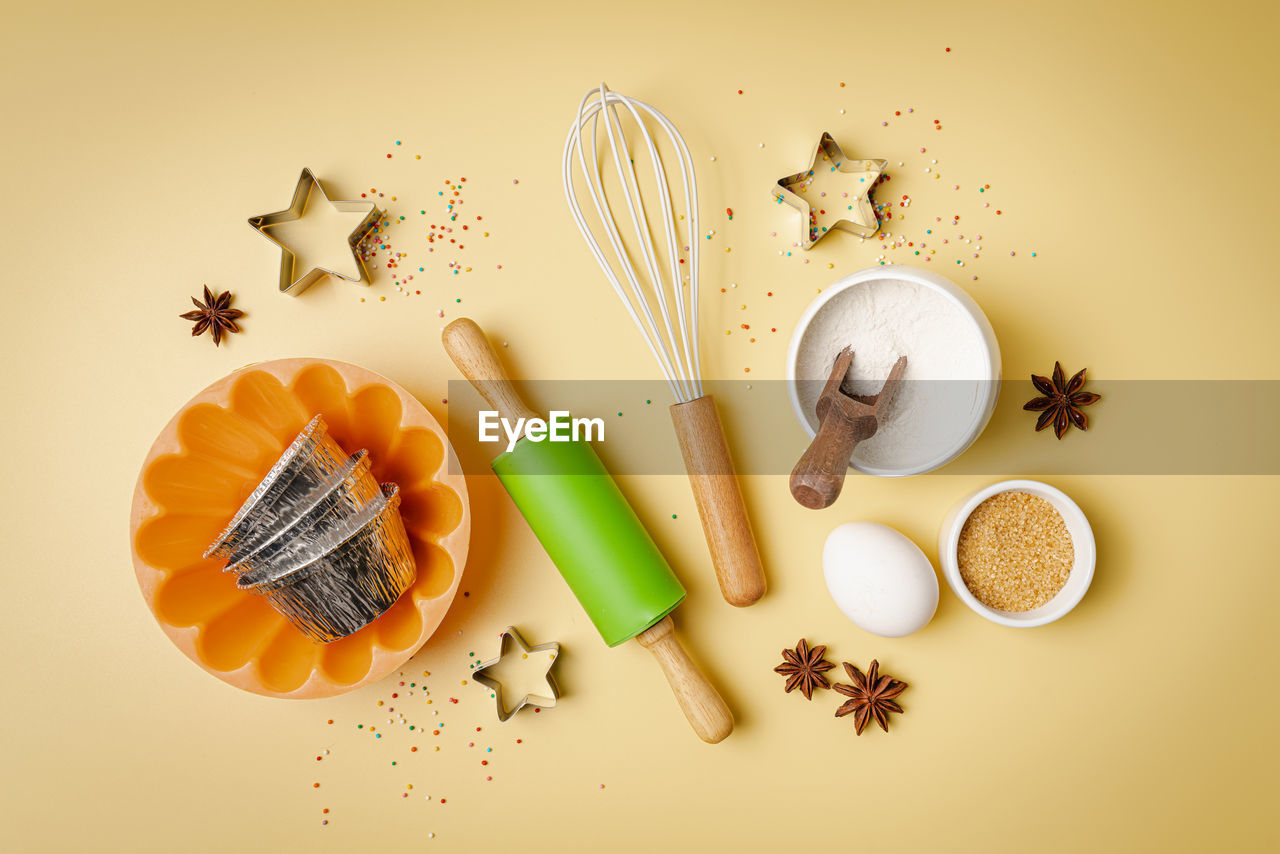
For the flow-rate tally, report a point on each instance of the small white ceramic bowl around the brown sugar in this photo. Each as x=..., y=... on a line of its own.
x=1082, y=541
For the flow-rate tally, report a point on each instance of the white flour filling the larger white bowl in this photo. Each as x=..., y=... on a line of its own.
x=884, y=319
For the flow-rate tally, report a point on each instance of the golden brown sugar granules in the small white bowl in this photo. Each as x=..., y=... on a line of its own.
x=1016, y=552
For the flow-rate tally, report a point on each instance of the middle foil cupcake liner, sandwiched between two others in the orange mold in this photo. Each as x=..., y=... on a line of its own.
x=332, y=512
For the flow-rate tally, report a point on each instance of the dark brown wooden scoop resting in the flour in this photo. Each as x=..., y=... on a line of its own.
x=844, y=421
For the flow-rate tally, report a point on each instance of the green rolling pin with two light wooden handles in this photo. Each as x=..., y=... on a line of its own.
x=593, y=537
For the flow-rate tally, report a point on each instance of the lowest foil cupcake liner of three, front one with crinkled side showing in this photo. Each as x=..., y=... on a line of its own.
x=351, y=584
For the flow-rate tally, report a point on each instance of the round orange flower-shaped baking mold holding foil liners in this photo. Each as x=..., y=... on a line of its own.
x=209, y=459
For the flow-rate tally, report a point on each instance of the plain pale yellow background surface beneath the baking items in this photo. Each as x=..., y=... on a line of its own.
x=1131, y=145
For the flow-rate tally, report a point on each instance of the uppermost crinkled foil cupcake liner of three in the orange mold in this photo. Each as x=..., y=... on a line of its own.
x=312, y=463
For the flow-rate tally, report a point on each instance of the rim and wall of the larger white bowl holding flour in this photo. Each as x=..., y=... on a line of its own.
x=986, y=394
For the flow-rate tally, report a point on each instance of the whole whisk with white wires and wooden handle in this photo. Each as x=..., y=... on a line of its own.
x=653, y=268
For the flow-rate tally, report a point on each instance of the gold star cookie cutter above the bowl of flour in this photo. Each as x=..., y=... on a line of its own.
x=861, y=218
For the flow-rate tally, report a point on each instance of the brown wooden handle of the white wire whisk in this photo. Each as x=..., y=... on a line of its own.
x=720, y=501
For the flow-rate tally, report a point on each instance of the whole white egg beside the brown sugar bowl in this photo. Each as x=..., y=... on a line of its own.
x=880, y=579
